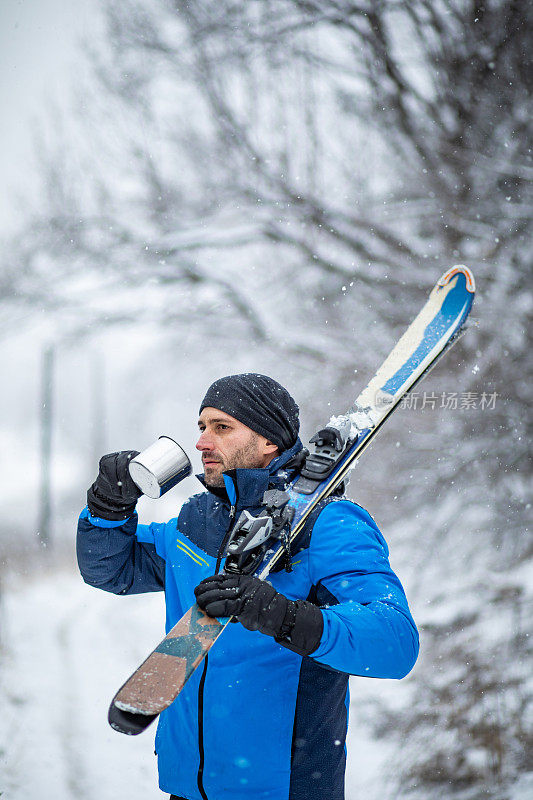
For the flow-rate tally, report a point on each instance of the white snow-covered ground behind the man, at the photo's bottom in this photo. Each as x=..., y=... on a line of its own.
x=65, y=649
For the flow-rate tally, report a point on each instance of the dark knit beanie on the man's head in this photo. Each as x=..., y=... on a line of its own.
x=260, y=403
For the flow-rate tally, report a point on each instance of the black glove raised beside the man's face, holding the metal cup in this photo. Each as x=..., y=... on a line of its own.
x=113, y=495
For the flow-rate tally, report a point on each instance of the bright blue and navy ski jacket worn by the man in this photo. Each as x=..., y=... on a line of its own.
x=262, y=721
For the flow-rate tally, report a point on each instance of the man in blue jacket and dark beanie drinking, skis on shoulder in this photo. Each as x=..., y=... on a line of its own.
x=266, y=717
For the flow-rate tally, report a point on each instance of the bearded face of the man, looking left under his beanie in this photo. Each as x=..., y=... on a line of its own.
x=225, y=443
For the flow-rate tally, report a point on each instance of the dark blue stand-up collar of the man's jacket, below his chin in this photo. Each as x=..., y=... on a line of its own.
x=246, y=487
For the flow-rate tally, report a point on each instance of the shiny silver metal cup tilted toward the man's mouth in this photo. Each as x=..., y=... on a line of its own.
x=160, y=467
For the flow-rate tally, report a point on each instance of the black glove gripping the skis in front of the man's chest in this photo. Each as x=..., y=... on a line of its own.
x=296, y=624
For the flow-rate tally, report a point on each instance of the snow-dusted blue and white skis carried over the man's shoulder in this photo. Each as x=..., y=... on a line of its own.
x=157, y=682
